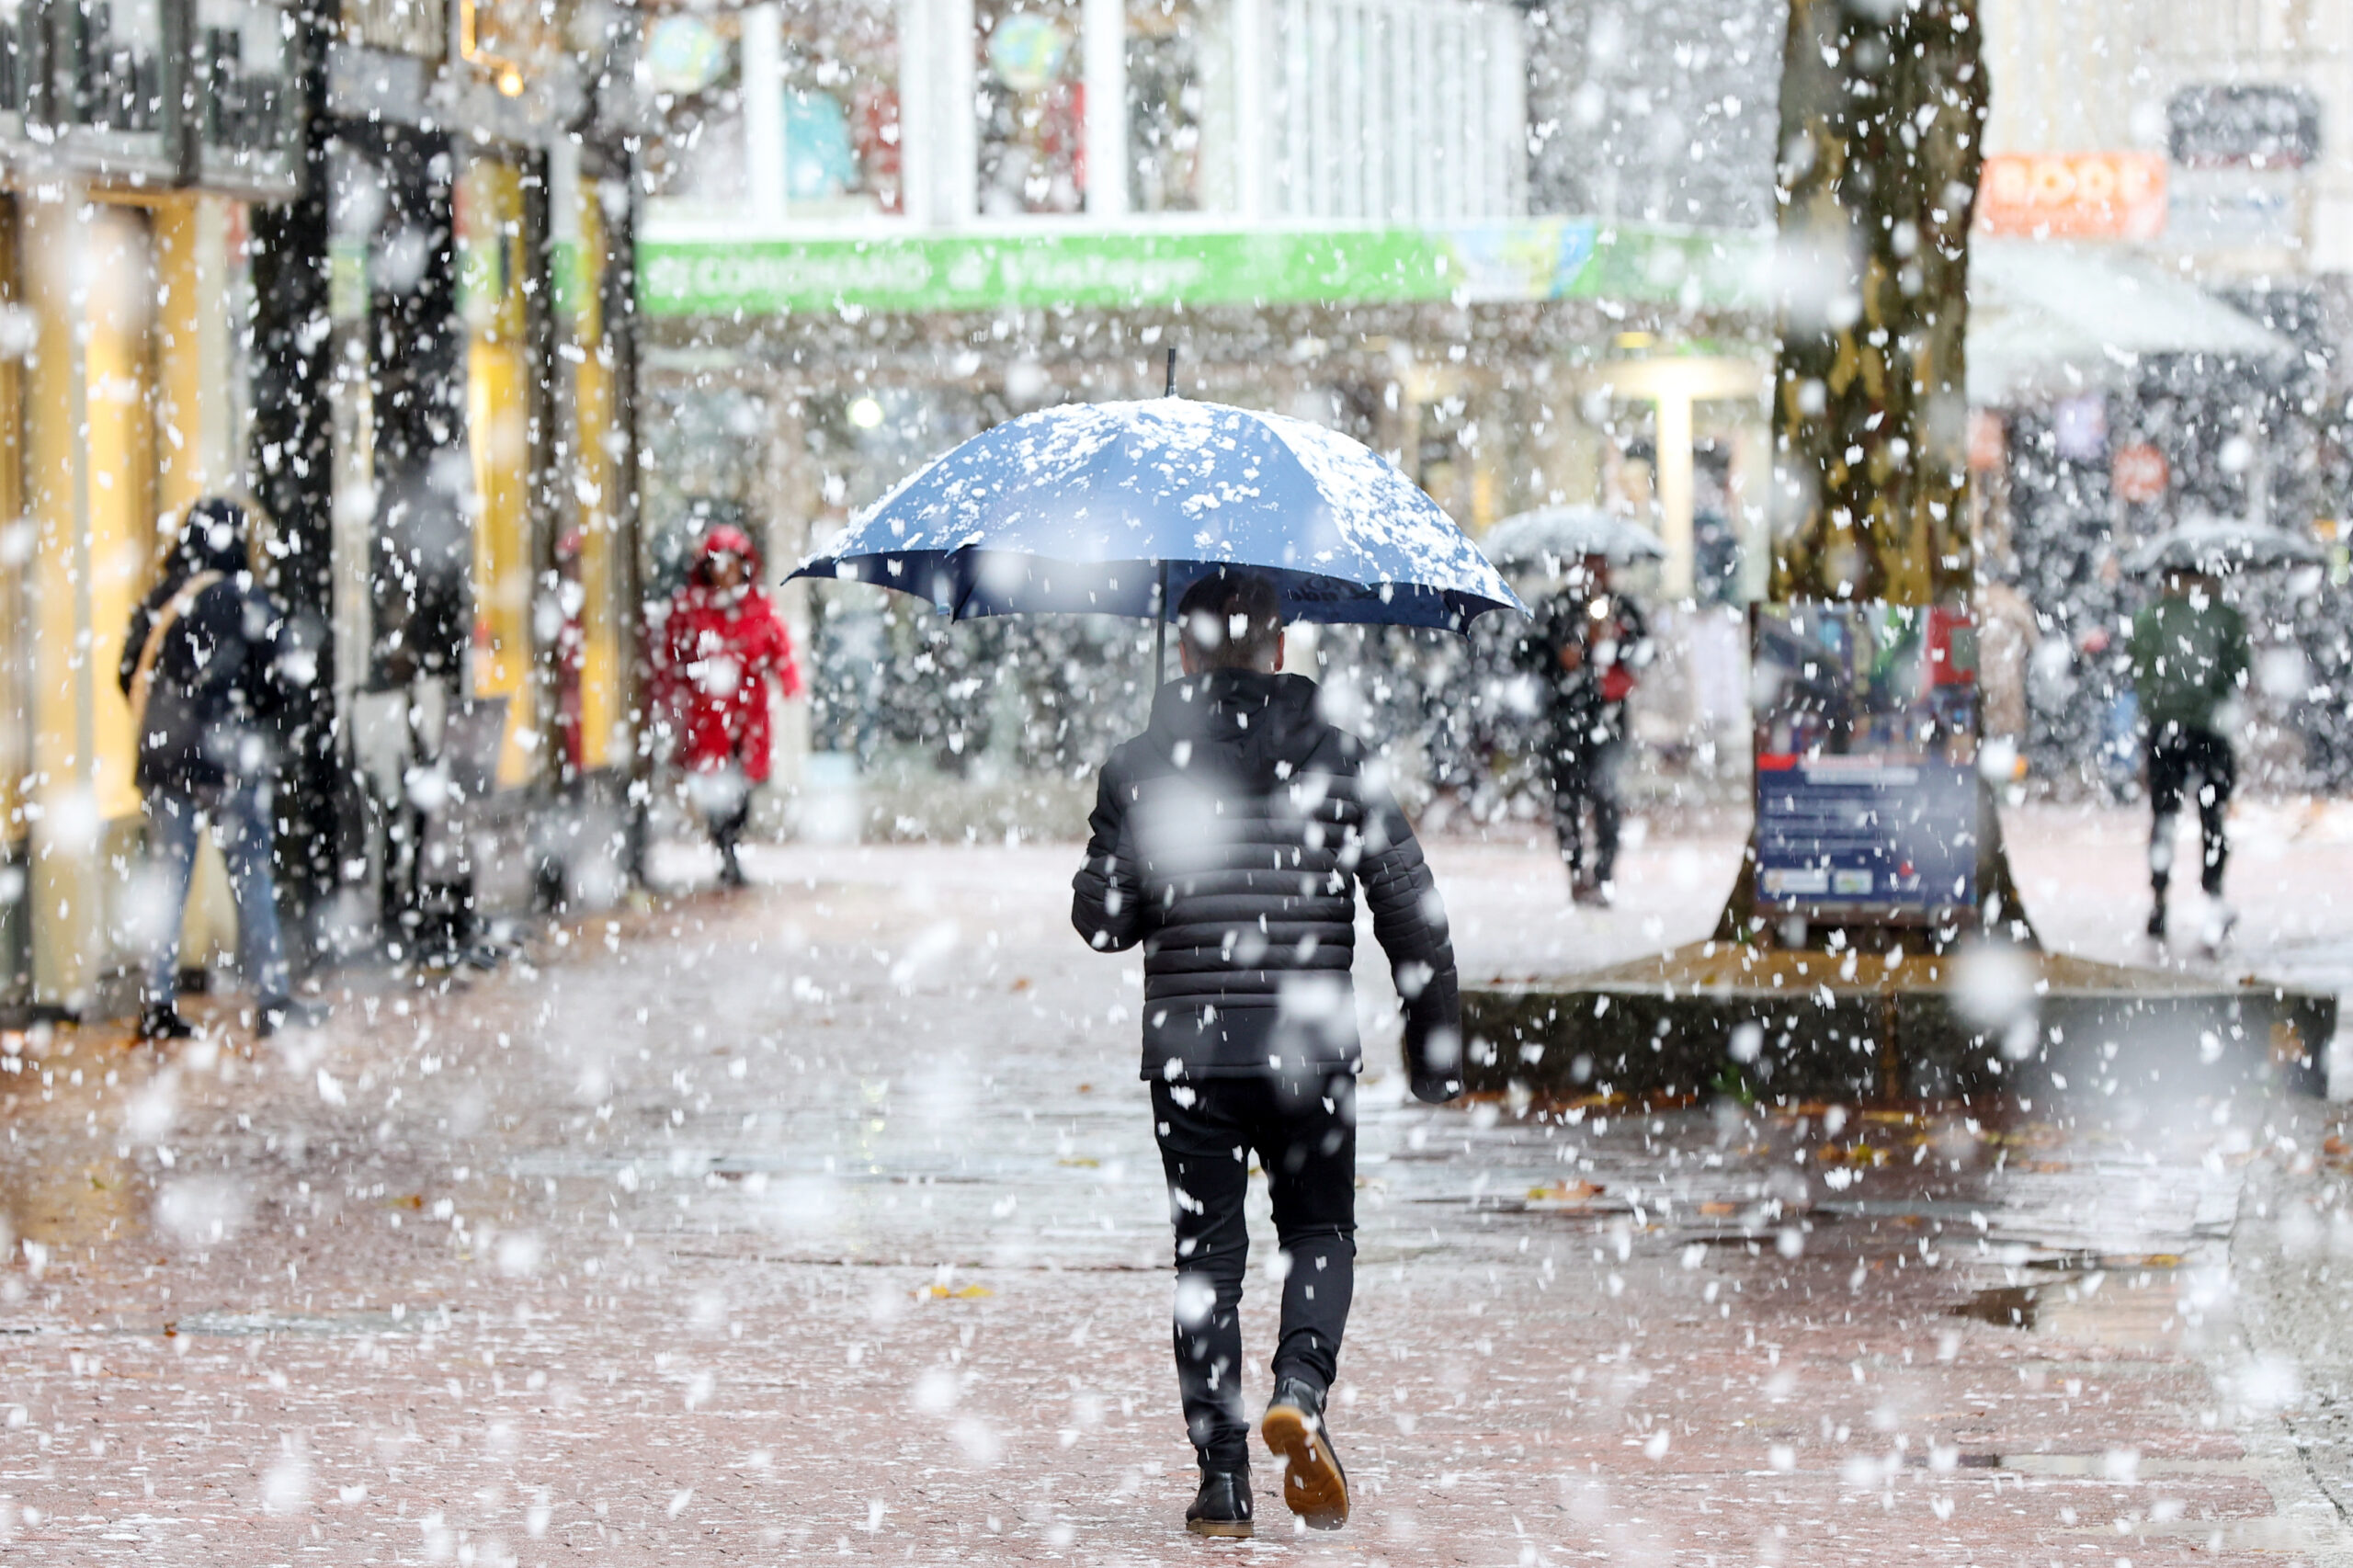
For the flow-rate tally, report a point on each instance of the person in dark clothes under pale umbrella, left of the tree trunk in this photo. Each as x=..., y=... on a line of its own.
x=1587, y=651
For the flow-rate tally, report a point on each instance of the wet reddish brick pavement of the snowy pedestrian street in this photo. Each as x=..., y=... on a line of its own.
x=827, y=1223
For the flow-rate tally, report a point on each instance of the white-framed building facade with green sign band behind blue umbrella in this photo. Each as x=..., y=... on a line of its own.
x=1324, y=208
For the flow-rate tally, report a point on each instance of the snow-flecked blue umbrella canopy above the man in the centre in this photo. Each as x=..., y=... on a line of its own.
x=1121, y=507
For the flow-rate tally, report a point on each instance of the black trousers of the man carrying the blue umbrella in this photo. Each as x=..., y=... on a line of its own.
x=1305, y=1138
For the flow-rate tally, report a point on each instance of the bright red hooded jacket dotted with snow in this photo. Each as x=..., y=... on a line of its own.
x=714, y=660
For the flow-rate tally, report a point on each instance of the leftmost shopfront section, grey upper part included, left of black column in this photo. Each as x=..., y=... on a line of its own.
x=133, y=142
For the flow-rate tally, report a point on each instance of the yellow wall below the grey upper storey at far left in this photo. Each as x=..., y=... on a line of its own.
x=119, y=434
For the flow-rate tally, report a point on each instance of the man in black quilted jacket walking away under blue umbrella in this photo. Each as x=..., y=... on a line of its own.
x=1229, y=842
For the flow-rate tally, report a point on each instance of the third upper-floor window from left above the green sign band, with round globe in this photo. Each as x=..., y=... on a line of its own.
x=1032, y=107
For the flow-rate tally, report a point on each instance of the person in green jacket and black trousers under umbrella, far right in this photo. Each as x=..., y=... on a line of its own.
x=2189, y=665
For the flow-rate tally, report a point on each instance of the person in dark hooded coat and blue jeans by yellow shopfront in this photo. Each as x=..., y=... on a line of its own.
x=204, y=677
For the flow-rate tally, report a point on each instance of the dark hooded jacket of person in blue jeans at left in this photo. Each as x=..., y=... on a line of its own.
x=218, y=686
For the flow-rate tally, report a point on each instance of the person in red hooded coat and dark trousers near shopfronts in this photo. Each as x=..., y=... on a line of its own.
x=716, y=653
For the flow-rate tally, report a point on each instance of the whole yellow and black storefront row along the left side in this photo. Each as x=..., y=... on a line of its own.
x=173, y=182
